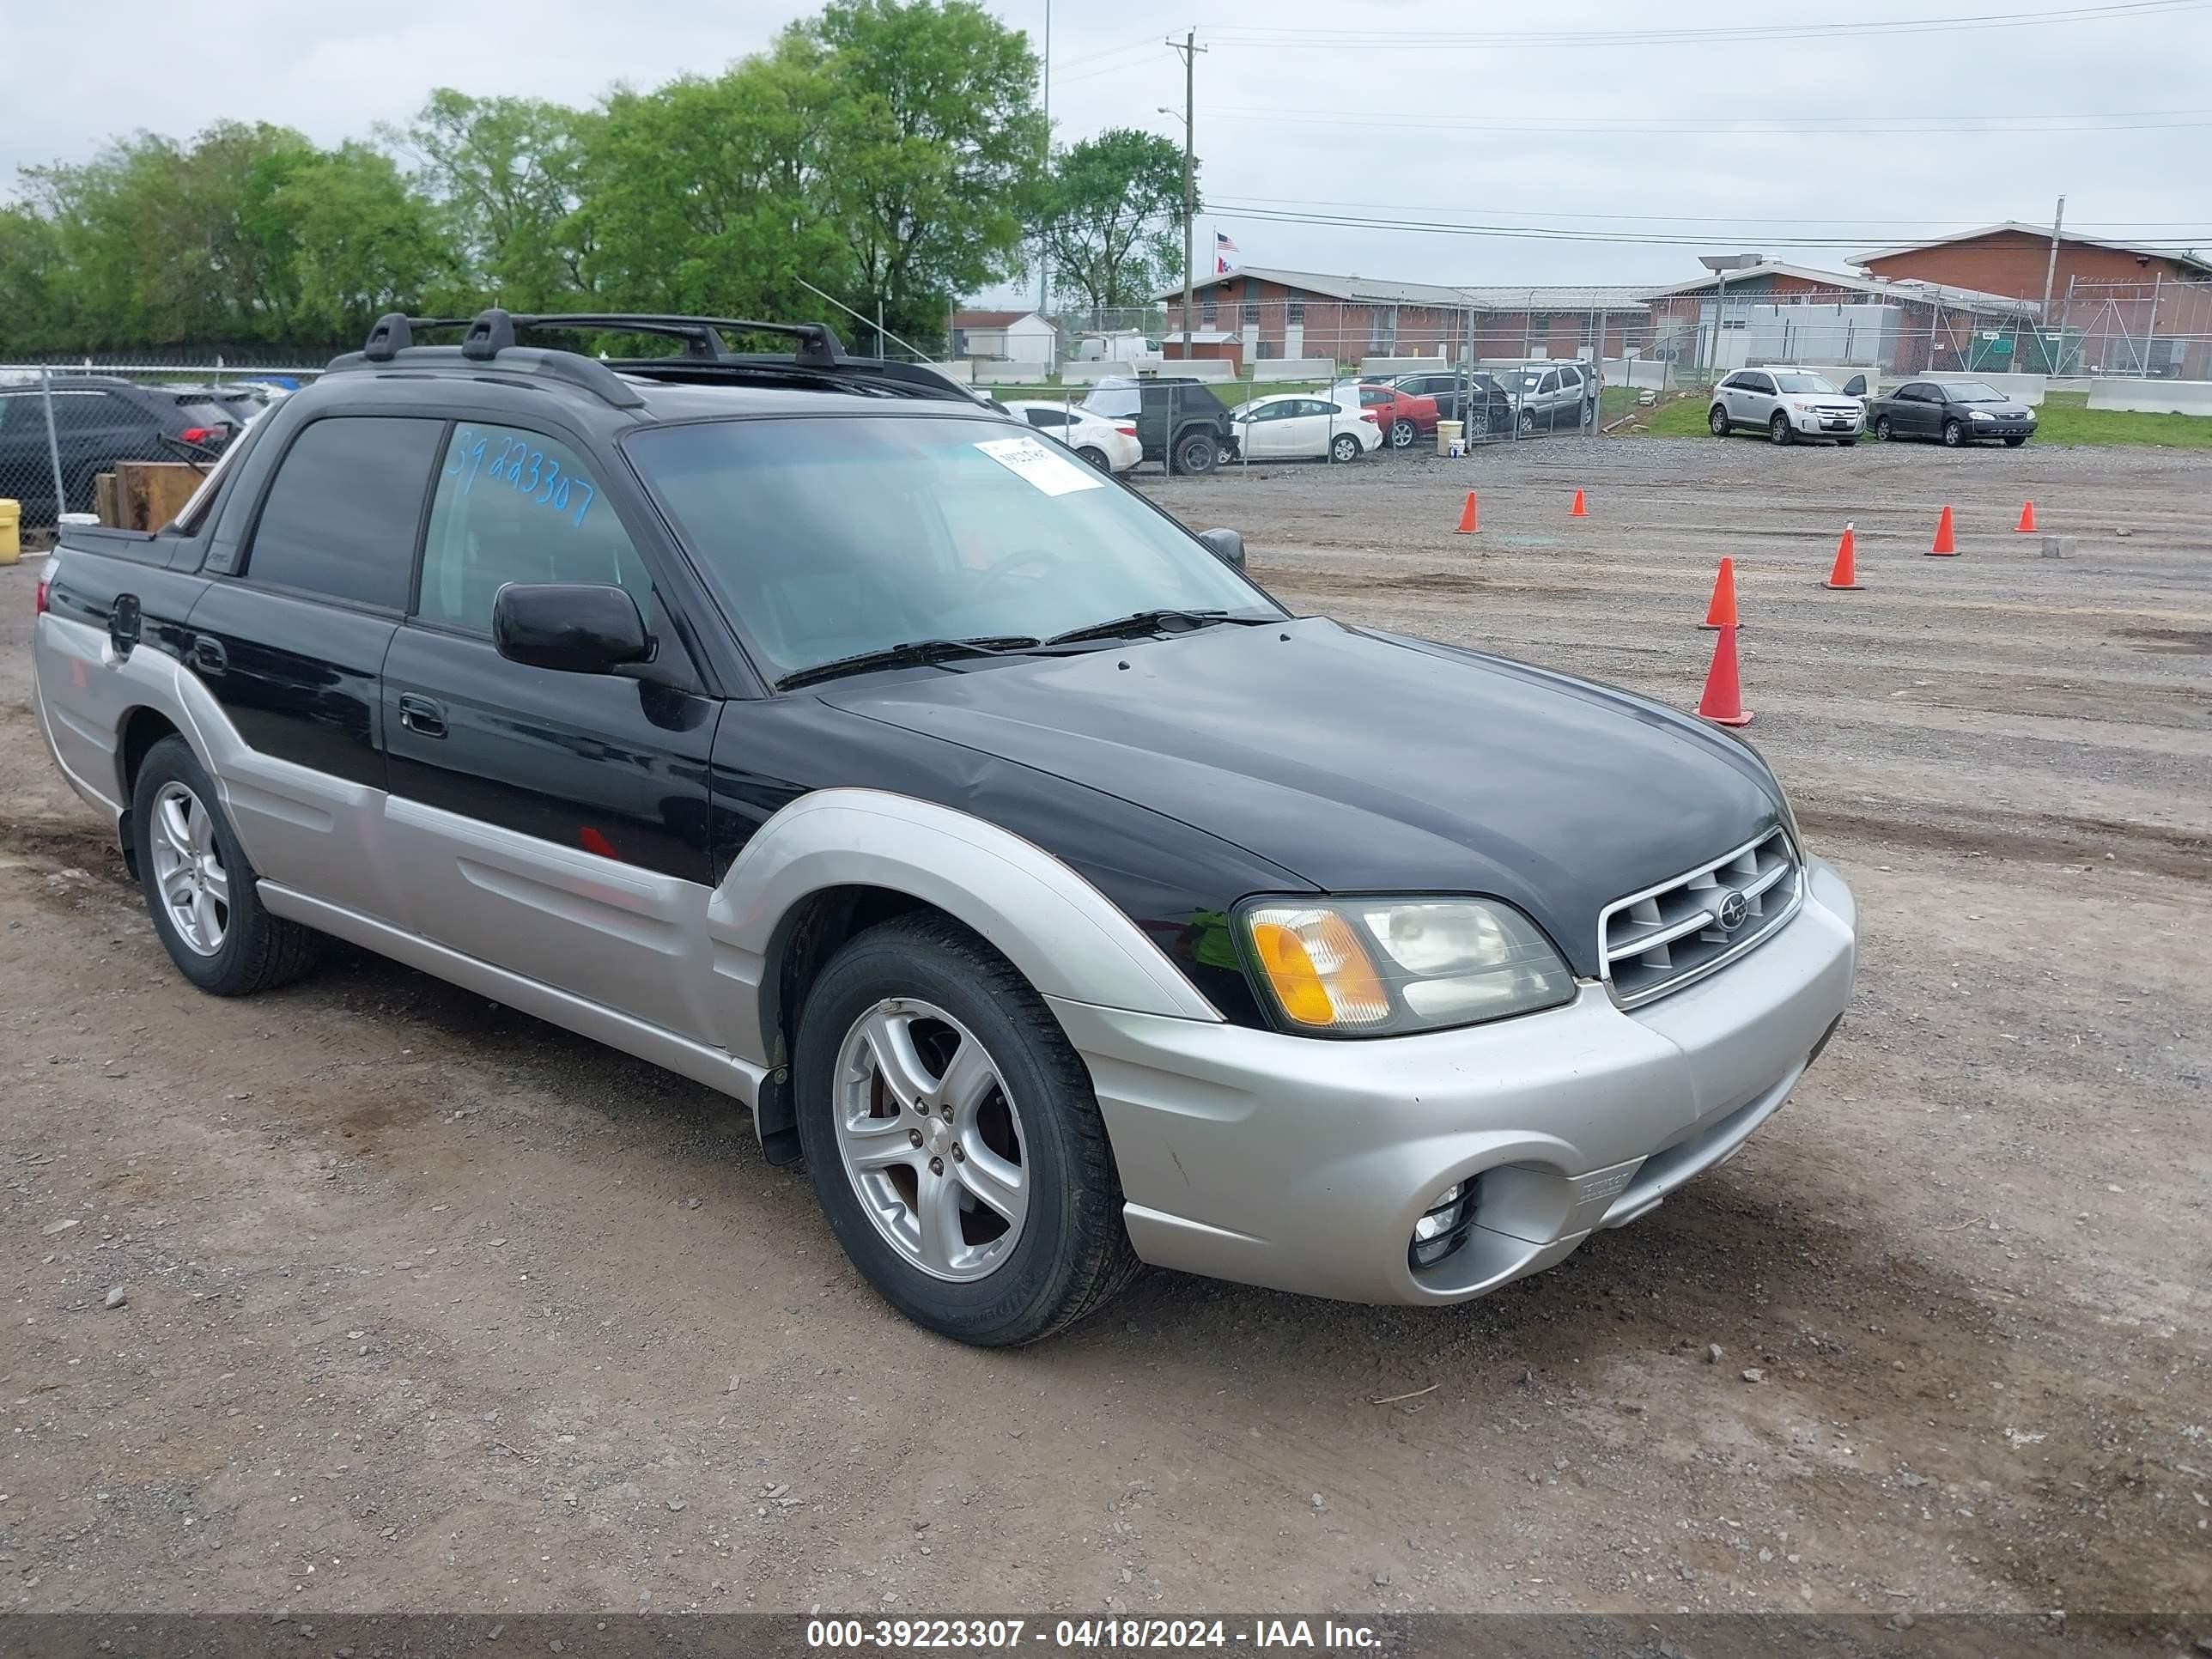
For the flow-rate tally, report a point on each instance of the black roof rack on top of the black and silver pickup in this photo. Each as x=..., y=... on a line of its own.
x=820, y=357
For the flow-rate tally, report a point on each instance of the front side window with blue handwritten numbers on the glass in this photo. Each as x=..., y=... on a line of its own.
x=517, y=505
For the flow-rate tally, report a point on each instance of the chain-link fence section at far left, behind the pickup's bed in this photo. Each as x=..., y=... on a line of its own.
x=63, y=428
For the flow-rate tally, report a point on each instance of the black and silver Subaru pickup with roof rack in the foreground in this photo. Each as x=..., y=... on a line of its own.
x=1050, y=890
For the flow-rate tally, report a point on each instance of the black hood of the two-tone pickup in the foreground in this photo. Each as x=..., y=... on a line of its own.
x=1368, y=764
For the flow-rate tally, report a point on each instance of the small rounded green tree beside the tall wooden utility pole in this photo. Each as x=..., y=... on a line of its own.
x=1112, y=220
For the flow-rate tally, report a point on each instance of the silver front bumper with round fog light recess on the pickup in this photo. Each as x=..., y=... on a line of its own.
x=1304, y=1165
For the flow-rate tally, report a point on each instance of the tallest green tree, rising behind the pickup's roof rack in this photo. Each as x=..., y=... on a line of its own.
x=930, y=152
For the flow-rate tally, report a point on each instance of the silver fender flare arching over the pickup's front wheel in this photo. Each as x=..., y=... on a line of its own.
x=1065, y=937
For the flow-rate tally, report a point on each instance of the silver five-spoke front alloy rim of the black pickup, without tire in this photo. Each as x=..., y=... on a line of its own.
x=932, y=1140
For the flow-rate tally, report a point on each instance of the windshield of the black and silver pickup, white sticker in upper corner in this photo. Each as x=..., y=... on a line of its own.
x=835, y=536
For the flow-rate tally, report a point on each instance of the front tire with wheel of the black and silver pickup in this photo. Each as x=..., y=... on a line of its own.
x=937, y=988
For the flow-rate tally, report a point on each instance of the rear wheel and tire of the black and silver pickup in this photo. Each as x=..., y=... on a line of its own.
x=218, y=932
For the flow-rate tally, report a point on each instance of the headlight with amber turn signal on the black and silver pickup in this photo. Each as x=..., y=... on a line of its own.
x=1388, y=966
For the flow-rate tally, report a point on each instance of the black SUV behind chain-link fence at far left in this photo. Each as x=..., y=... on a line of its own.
x=96, y=424
